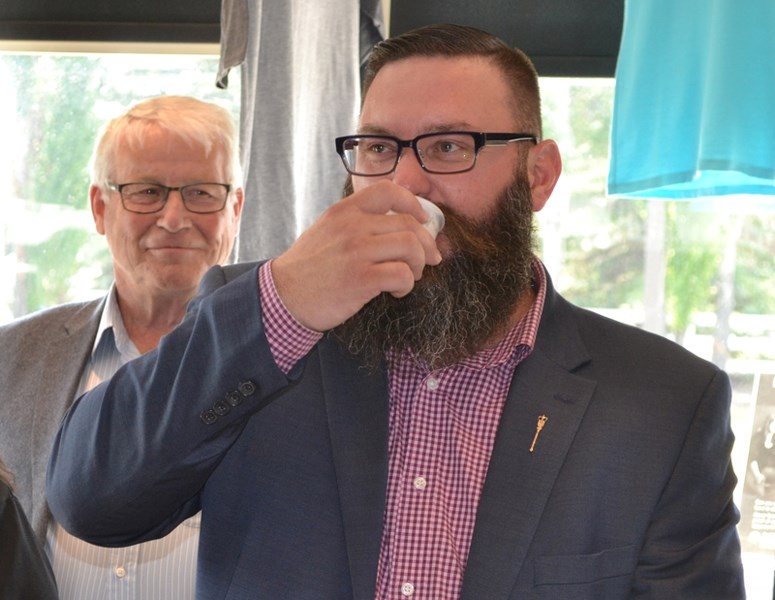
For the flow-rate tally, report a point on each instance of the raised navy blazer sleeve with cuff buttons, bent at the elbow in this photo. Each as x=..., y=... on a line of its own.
x=133, y=454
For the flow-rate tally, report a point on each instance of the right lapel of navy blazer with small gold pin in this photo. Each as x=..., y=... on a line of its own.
x=519, y=482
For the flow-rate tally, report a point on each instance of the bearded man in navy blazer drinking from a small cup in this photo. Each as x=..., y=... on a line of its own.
x=377, y=413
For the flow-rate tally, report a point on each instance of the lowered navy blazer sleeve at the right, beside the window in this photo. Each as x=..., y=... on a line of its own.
x=692, y=549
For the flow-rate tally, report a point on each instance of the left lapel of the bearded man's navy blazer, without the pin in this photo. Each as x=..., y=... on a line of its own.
x=357, y=405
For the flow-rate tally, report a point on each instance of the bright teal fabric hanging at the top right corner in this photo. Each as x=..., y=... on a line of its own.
x=694, y=103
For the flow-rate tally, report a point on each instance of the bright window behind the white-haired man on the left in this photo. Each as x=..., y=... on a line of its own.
x=57, y=102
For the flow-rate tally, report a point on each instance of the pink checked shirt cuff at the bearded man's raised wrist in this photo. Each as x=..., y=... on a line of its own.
x=288, y=339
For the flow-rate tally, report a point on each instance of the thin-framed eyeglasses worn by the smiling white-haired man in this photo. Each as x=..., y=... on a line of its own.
x=199, y=198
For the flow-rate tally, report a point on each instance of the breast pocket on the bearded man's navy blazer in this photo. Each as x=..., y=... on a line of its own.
x=584, y=568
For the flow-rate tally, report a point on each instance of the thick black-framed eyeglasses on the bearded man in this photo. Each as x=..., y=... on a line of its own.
x=443, y=152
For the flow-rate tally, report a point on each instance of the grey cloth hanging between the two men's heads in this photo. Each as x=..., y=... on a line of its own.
x=300, y=83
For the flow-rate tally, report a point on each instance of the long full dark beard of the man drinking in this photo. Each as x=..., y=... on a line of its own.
x=459, y=305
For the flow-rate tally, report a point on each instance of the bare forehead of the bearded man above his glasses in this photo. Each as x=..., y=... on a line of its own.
x=422, y=94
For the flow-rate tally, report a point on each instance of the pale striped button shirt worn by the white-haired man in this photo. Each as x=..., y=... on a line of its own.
x=162, y=569
